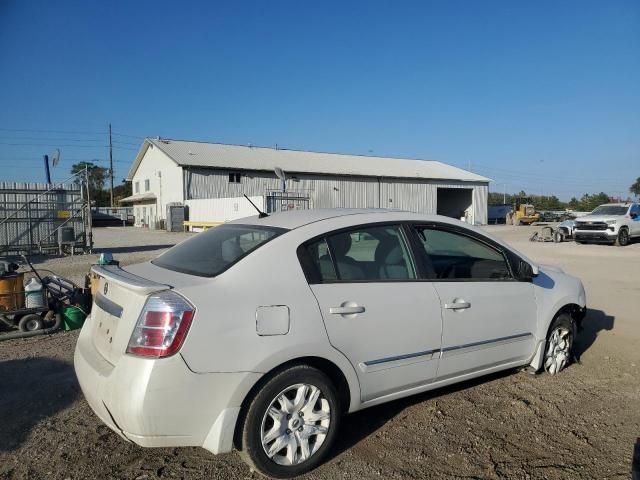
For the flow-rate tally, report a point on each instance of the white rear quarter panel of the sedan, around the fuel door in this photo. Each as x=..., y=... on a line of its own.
x=224, y=337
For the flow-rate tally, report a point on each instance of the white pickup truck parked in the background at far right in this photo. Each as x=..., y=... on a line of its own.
x=610, y=223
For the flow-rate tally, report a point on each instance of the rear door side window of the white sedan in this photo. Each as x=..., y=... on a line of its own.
x=373, y=253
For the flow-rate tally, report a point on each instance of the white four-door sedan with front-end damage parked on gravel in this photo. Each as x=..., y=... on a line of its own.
x=259, y=334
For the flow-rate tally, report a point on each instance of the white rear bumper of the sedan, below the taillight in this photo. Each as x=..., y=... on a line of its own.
x=161, y=403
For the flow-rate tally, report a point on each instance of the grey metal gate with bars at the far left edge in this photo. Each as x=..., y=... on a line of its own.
x=32, y=213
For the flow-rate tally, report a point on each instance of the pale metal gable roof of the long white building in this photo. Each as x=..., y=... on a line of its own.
x=238, y=157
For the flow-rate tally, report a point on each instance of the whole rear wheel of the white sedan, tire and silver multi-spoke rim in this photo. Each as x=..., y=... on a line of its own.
x=291, y=423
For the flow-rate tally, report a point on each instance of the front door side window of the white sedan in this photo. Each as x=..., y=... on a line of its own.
x=453, y=256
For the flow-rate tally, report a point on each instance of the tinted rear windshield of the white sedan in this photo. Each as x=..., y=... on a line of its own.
x=212, y=252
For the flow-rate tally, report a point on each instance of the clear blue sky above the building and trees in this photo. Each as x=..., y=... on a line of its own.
x=539, y=96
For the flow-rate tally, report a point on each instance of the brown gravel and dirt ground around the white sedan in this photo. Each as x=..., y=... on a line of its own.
x=581, y=423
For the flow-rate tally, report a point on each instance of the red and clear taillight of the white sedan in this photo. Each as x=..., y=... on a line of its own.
x=162, y=326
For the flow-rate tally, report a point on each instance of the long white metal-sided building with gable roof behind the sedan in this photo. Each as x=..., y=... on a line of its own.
x=211, y=179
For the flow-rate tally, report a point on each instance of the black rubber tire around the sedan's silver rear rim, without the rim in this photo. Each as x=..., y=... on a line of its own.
x=251, y=448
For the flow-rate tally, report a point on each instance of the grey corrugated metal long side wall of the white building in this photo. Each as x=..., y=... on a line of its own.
x=326, y=191
